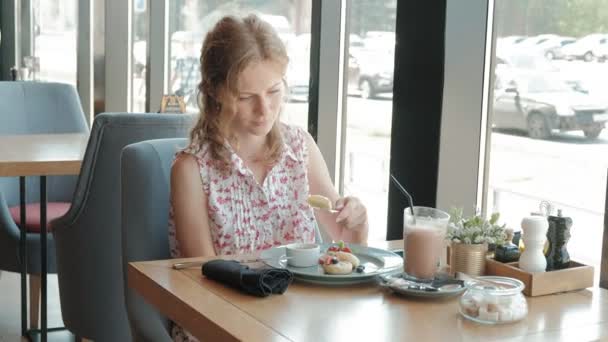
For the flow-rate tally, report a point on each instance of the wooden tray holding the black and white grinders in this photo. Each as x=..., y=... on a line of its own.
x=576, y=276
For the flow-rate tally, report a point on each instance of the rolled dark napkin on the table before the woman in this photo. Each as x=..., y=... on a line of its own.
x=259, y=282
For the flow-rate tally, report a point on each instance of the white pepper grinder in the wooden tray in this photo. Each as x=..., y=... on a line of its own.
x=534, y=234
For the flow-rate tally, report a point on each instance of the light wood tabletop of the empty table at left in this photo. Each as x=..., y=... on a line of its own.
x=41, y=154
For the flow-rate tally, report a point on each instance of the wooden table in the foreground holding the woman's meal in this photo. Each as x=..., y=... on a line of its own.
x=356, y=313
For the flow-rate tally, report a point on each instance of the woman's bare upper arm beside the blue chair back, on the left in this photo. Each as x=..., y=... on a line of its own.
x=190, y=208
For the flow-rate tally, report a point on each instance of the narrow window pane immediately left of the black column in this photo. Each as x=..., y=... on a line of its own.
x=371, y=54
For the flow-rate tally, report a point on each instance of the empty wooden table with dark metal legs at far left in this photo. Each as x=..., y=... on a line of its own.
x=39, y=155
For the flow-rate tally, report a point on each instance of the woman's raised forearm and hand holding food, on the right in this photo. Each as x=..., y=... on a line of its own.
x=350, y=224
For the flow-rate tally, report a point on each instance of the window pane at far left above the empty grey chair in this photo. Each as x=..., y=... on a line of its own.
x=54, y=41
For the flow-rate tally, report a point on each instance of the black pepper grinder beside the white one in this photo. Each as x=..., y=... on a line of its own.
x=558, y=236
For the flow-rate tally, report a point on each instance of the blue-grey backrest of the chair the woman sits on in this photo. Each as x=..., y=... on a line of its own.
x=145, y=197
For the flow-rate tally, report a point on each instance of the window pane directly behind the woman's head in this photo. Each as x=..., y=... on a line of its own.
x=190, y=20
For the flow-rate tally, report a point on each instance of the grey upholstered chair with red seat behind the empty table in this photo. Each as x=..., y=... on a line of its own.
x=35, y=108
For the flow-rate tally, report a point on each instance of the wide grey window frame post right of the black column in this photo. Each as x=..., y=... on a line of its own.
x=466, y=118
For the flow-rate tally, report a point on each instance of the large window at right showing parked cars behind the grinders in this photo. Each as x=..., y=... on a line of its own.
x=549, y=110
